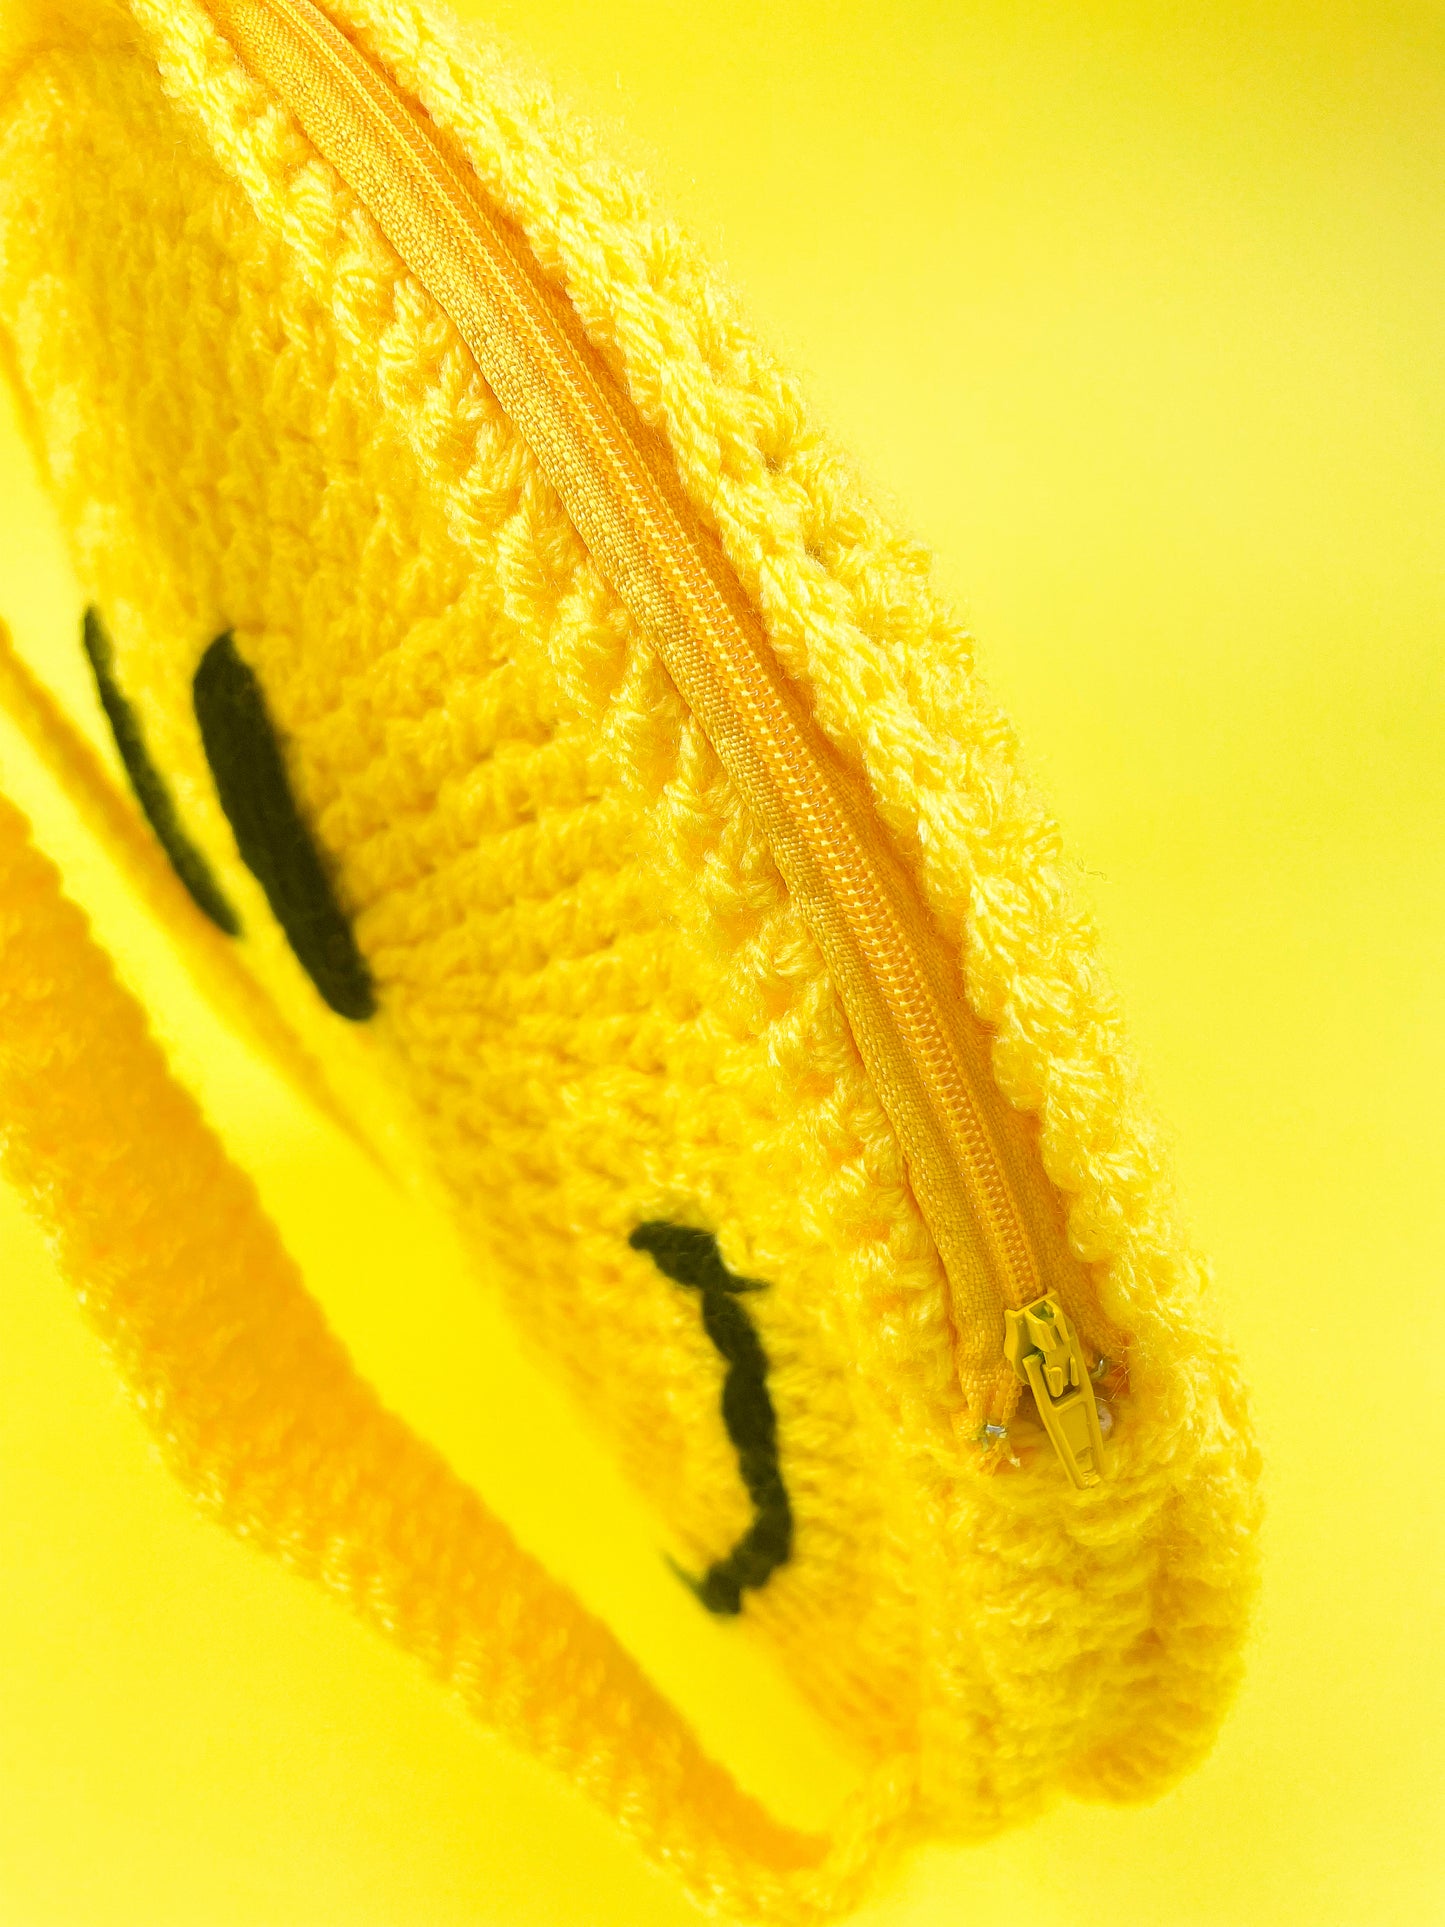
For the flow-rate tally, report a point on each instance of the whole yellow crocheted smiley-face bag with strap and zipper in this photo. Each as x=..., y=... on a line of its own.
x=564, y=770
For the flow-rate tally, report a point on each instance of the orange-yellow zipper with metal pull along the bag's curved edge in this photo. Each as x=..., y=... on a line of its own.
x=621, y=492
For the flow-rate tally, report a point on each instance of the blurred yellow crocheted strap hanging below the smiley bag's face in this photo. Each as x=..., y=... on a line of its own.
x=267, y=1423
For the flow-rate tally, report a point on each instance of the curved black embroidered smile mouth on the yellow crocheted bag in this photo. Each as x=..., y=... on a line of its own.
x=693, y=1259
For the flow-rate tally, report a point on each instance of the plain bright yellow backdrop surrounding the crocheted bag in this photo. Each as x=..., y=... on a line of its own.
x=1136, y=311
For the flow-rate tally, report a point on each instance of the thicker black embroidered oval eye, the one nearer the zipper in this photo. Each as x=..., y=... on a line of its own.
x=275, y=843
